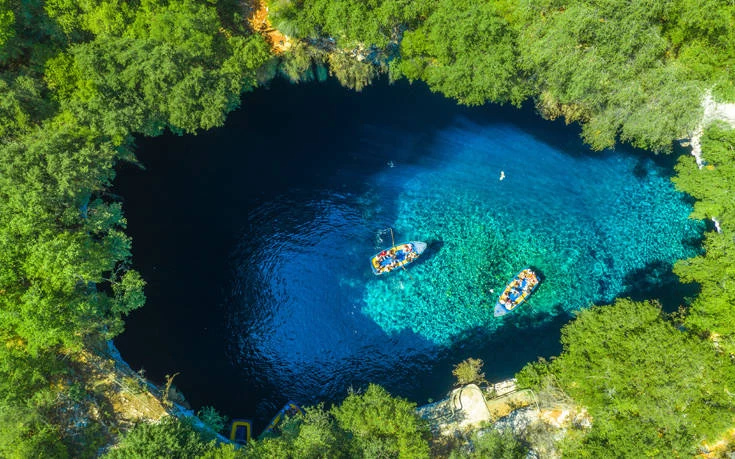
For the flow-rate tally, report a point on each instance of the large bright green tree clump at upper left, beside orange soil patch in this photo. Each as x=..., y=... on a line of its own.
x=170, y=68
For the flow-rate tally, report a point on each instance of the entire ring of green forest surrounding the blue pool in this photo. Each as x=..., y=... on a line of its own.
x=80, y=79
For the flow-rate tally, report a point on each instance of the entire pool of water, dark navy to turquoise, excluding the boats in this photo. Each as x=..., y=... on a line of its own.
x=255, y=240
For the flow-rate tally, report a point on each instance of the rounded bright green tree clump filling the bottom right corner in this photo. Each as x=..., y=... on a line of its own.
x=651, y=389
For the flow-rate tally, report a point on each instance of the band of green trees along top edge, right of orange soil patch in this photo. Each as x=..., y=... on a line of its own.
x=625, y=71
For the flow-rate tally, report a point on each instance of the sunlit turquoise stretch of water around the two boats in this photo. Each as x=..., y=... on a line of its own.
x=586, y=221
